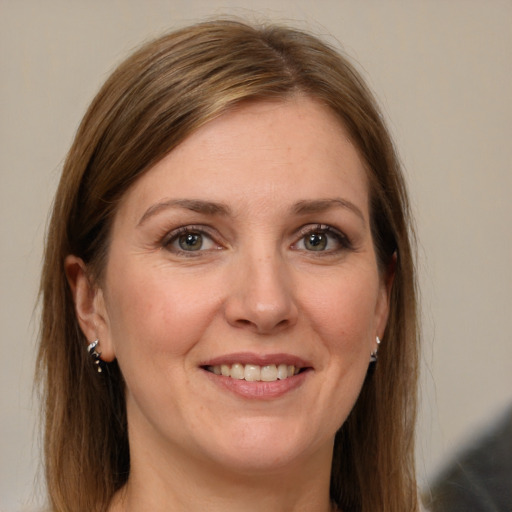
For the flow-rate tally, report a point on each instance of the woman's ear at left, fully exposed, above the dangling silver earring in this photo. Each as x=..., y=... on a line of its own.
x=90, y=307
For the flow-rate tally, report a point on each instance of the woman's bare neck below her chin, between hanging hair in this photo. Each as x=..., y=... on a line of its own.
x=181, y=483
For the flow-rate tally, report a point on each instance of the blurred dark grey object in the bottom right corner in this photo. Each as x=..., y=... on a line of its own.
x=480, y=478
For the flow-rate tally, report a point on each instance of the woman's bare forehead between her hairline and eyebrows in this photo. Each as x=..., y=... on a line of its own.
x=268, y=152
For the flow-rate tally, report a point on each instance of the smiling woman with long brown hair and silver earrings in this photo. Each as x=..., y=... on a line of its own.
x=229, y=244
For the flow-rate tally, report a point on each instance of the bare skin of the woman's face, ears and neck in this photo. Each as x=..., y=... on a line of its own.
x=281, y=172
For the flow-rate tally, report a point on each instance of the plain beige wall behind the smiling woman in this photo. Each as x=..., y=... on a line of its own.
x=442, y=72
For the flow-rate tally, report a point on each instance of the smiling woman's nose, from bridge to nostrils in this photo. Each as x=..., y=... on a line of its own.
x=261, y=295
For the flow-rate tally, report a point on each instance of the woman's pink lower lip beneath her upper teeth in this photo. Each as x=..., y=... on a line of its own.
x=259, y=389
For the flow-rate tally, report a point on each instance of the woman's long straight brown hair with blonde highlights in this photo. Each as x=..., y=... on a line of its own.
x=151, y=103
